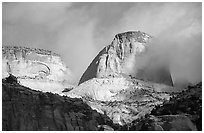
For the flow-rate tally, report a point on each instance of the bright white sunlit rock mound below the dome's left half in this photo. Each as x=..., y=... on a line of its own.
x=99, y=89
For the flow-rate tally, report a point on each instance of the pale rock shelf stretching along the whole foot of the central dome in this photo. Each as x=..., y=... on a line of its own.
x=115, y=89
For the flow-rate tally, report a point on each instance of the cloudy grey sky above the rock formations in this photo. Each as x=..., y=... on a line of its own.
x=78, y=31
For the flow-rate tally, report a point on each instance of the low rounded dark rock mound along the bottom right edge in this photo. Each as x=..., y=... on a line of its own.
x=162, y=123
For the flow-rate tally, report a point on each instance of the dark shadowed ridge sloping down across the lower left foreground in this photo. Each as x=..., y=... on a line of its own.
x=24, y=109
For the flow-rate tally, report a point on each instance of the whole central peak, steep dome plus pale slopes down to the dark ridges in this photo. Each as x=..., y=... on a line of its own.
x=116, y=85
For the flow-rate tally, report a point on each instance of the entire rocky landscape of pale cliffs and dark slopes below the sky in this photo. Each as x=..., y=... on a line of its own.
x=116, y=92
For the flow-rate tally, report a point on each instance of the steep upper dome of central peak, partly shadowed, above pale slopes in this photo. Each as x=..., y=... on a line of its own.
x=120, y=58
